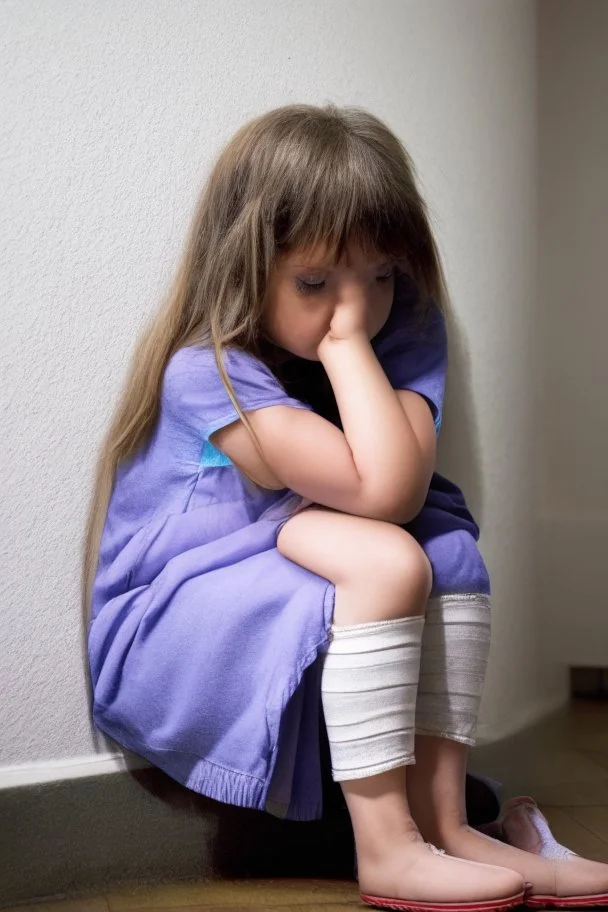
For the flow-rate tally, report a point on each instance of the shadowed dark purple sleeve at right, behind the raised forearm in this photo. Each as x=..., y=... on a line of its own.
x=412, y=349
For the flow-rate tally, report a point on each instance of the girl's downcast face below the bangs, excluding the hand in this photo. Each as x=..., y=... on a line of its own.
x=303, y=292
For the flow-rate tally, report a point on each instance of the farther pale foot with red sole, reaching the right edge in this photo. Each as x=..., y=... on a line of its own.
x=562, y=880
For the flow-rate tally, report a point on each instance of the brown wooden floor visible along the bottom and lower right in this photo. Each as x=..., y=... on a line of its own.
x=563, y=763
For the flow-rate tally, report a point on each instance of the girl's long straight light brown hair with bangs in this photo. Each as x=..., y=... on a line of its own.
x=295, y=177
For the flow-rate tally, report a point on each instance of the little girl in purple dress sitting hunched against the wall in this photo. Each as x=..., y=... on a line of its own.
x=268, y=537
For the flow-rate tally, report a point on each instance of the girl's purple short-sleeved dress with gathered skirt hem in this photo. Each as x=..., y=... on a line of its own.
x=205, y=644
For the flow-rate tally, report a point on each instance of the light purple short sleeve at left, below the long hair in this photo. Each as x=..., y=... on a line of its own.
x=193, y=390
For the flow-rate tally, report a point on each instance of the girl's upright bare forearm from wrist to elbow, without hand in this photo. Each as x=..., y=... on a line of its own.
x=384, y=447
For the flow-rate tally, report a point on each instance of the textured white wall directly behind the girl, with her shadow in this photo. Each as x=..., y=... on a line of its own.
x=112, y=115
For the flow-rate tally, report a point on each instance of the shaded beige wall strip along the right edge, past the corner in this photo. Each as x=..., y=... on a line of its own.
x=573, y=493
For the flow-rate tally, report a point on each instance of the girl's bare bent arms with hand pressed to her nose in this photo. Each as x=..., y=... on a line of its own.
x=379, y=467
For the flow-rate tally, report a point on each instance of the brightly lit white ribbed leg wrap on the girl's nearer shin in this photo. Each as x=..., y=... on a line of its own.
x=368, y=689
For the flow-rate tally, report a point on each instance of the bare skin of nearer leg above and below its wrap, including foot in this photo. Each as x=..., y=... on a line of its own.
x=380, y=572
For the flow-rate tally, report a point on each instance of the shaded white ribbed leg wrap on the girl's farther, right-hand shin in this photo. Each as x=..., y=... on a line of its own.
x=455, y=647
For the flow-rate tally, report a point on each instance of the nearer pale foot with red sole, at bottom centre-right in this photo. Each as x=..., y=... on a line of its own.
x=416, y=876
